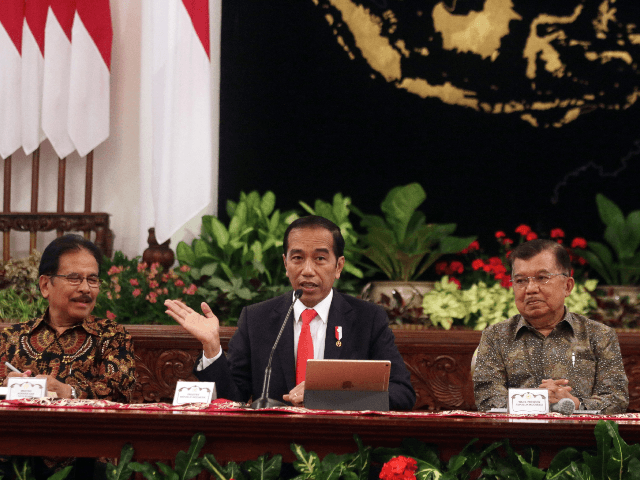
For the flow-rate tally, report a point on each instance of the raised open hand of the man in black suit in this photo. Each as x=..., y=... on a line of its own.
x=205, y=328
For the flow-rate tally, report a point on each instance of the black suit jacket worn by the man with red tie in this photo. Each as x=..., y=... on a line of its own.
x=365, y=336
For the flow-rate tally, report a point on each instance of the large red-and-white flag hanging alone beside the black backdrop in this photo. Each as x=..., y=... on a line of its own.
x=182, y=175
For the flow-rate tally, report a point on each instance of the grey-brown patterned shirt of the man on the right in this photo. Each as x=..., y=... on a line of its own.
x=513, y=354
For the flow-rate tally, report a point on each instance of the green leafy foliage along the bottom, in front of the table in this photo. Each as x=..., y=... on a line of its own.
x=612, y=459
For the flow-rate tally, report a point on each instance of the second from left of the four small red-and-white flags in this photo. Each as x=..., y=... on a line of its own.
x=35, y=17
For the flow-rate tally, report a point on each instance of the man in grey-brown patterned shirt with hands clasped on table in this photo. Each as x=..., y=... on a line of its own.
x=546, y=346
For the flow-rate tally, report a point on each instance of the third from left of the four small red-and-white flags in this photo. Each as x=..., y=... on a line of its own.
x=57, y=66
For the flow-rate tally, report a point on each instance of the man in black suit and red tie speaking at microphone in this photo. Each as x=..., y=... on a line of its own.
x=341, y=326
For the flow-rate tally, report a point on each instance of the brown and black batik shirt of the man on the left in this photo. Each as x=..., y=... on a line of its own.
x=94, y=356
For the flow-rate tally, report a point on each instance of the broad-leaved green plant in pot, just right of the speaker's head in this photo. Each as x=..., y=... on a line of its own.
x=402, y=245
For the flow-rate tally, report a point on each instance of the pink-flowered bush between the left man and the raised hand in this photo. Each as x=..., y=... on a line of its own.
x=134, y=292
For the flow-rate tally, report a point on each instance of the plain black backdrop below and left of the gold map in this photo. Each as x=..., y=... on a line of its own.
x=300, y=118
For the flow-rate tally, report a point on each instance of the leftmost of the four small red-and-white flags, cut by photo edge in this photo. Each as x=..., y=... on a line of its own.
x=11, y=22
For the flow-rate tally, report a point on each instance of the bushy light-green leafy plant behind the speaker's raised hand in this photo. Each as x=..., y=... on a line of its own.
x=240, y=263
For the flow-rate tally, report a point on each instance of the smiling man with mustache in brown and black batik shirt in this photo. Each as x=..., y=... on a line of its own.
x=81, y=356
